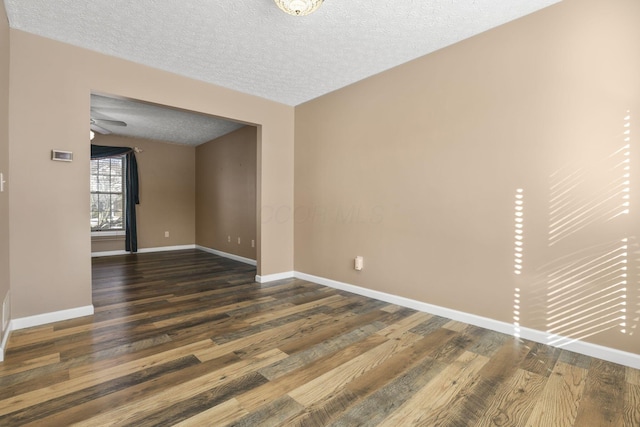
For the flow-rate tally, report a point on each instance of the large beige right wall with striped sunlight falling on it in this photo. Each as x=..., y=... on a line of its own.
x=417, y=169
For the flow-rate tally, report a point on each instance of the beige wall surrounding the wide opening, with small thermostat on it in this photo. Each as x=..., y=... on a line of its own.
x=49, y=104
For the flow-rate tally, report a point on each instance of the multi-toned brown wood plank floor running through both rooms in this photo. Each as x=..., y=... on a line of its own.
x=188, y=338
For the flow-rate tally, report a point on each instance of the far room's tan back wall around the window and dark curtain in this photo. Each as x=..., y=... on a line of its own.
x=167, y=194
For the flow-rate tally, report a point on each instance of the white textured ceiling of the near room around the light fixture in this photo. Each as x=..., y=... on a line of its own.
x=252, y=47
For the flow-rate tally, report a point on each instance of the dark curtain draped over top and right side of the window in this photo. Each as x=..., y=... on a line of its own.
x=131, y=185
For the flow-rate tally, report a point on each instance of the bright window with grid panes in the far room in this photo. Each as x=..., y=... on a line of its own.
x=107, y=194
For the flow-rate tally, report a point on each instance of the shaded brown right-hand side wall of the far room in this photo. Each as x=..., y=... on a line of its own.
x=226, y=193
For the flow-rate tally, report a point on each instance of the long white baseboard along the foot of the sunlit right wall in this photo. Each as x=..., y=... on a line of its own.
x=593, y=350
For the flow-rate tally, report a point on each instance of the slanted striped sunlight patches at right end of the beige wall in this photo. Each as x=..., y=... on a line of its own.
x=587, y=289
